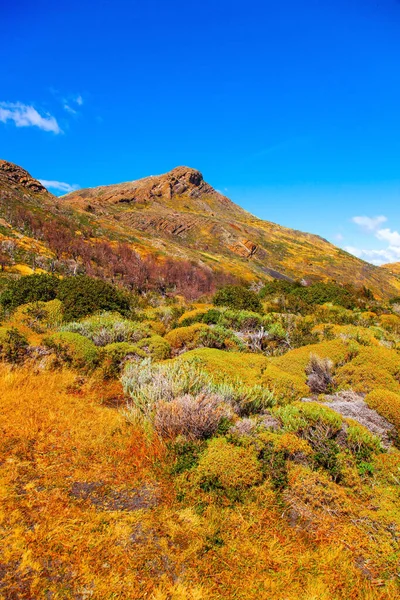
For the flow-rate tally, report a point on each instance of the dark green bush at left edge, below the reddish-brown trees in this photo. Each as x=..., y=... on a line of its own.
x=31, y=288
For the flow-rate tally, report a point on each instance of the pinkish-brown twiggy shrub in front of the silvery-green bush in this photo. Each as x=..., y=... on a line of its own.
x=195, y=417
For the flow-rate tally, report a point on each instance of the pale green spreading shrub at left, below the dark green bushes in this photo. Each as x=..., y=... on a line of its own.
x=108, y=328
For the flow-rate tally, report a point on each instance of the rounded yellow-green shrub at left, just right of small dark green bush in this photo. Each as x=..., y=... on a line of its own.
x=73, y=349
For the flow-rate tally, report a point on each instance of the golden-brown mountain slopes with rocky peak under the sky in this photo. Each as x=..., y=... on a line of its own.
x=175, y=215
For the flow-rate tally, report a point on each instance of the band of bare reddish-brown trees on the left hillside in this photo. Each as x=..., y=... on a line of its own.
x=118, y=263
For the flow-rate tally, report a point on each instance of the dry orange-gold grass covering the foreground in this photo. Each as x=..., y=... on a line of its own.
x=57, y=543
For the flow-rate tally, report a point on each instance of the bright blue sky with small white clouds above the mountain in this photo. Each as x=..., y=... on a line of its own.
x=292, y=109
